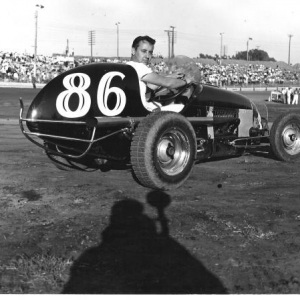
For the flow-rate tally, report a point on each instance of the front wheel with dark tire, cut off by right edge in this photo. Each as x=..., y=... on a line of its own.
x=282, y=147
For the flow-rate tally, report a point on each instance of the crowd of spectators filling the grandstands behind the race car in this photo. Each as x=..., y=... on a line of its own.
x=20, y=68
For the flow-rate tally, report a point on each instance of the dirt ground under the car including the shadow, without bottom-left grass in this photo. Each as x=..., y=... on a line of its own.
x=233, y=227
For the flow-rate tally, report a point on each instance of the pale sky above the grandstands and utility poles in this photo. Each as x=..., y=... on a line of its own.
x=200, y=26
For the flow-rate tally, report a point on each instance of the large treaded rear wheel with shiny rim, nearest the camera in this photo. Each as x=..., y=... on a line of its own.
x=146, y=157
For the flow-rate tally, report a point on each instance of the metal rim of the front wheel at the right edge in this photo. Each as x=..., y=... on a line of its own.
x=291, y=139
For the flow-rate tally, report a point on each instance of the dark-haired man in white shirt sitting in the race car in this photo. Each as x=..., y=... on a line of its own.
x=141, y=54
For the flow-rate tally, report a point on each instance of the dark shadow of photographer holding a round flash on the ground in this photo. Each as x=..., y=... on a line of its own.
x=134, y=258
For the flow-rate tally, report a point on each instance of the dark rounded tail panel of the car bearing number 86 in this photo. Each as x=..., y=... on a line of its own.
x=59, y=99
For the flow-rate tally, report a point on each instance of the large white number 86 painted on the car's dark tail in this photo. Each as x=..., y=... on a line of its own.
x=84, y=104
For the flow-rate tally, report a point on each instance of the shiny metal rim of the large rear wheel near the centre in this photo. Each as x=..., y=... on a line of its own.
x=173, y=152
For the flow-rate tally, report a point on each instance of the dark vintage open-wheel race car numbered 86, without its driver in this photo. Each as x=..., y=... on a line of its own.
x=94, y=116
